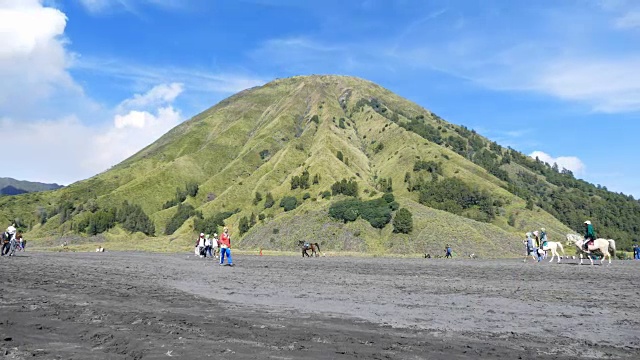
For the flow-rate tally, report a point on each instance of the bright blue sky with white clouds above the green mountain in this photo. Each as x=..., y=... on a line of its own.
x=87, y=83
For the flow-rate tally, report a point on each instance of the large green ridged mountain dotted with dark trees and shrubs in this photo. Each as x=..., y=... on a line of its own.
x=315, y=158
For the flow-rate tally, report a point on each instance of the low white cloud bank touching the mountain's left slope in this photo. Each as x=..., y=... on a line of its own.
x=66, y=150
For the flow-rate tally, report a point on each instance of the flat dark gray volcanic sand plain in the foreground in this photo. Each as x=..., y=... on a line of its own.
x=145, y=306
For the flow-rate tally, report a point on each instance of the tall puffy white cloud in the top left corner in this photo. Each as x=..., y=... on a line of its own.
x=33, y=58
